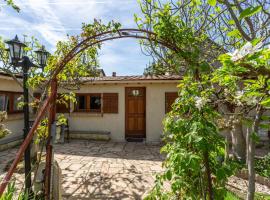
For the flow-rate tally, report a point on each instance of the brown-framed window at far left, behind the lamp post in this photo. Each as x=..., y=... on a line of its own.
x=9, y=102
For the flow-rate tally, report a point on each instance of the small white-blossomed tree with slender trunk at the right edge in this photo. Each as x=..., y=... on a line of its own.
x=250, y=66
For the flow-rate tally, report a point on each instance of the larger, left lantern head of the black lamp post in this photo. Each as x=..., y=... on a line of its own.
x=16, y=50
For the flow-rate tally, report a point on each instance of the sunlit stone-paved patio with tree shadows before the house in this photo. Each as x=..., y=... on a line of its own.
x=103, y=170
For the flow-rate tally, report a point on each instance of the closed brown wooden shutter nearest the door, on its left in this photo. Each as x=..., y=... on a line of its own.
x=110, y=102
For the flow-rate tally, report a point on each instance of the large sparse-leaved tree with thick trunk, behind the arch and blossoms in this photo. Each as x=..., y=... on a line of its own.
x=227, y=25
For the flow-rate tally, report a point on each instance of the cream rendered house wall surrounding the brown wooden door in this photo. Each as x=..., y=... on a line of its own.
x=115, y=123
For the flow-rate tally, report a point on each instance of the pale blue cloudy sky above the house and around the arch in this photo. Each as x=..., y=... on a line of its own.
x=50, y=21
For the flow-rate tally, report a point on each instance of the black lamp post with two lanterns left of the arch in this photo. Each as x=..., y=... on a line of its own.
x=19, y=59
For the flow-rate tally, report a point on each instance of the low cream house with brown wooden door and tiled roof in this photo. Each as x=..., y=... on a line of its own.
x=123, y=106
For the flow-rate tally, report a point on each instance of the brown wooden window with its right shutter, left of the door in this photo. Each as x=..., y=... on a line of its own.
x=97, y=102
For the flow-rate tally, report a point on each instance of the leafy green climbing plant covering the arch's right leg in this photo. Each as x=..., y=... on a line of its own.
x=194, y=148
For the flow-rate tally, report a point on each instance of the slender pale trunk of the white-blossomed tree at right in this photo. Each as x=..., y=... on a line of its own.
x=251, y=153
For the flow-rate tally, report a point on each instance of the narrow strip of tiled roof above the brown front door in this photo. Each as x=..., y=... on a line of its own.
x=134, y=78
